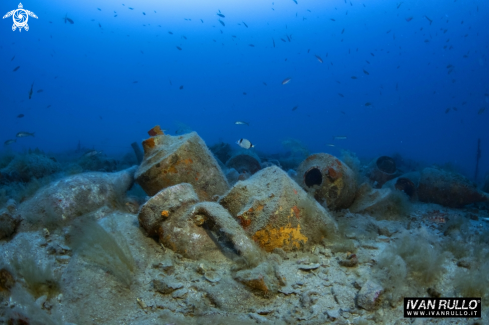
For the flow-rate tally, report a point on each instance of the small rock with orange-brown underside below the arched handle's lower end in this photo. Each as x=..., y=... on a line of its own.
x=260, y=279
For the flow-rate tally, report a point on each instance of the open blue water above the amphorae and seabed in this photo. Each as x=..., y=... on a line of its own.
x=88, y=73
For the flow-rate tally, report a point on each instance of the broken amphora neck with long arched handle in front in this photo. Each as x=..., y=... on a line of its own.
x=195, y=234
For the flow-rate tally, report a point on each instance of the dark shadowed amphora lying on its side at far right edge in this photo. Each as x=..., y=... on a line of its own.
x=448, y=189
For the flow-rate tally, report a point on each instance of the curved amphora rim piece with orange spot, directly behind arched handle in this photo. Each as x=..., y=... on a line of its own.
x=173, y=200
